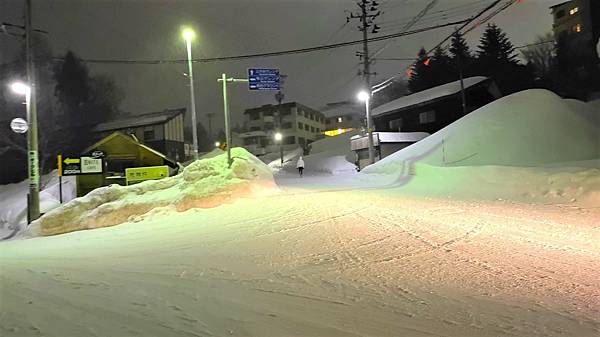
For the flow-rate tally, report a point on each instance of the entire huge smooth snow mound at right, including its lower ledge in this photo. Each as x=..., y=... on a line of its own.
x=530, y=146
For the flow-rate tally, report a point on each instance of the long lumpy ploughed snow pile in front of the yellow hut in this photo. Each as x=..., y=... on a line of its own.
x=204, y=183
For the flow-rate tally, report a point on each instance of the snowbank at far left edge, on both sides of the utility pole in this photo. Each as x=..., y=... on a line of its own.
x=13, y=200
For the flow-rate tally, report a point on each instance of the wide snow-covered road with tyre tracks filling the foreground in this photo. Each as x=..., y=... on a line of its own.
x=314, y=261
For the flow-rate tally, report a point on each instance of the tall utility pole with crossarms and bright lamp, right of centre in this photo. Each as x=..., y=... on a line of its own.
x=367, y=15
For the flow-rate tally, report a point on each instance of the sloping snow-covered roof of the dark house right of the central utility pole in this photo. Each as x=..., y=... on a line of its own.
x=428, y=95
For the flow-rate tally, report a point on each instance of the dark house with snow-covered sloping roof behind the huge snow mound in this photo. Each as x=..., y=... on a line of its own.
x=435, y=108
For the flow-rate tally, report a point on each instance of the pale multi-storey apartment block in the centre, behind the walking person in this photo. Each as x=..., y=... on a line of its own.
x=300, y=126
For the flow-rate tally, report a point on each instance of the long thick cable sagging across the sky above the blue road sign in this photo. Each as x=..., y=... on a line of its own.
x=271, y=54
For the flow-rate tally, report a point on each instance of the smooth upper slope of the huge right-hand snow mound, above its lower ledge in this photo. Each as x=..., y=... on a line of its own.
x=529, y=128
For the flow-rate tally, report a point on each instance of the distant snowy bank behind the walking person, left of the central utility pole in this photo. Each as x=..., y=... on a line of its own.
x=328, y=155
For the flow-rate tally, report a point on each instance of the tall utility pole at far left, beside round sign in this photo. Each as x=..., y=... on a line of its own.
x=32, y=135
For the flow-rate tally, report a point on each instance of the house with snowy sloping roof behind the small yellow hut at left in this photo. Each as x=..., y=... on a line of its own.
x=163, y=131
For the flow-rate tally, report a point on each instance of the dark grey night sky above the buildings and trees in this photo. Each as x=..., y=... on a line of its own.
x=148, y=30
